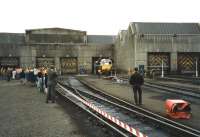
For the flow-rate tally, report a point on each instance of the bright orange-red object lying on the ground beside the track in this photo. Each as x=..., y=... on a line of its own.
x=176, y=108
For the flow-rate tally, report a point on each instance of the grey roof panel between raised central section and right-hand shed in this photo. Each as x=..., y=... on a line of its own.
x=100, y=39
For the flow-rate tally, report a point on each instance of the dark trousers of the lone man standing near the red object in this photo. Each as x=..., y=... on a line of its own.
x=137, y=92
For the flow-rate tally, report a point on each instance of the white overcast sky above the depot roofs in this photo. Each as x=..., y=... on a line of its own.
x=101, y=17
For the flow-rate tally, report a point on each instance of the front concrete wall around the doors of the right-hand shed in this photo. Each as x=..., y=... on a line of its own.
x=170, y=44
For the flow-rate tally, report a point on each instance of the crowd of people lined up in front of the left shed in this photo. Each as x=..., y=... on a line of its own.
x=43, y=78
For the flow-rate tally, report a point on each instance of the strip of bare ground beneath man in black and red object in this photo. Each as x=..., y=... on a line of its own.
x=154, y=101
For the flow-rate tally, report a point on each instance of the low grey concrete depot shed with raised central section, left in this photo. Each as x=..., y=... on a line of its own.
x=68, y=50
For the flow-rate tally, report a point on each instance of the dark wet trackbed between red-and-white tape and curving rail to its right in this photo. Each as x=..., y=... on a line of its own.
x=128, y=116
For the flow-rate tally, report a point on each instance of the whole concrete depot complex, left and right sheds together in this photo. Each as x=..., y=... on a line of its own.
x=143, y=45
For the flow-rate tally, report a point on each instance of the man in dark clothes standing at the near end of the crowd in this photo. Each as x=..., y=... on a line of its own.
x=51, y=83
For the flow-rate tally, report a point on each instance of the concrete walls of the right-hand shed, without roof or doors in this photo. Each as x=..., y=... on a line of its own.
x=131, y=48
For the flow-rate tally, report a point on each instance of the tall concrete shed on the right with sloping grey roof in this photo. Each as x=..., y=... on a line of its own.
x=147, y=45
